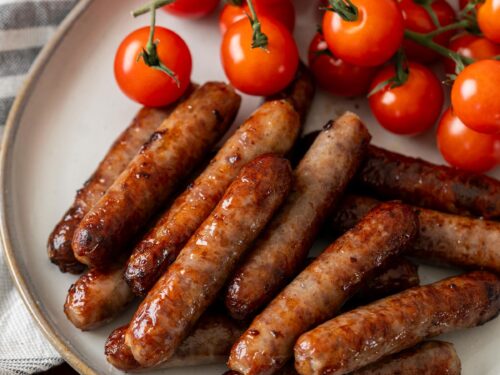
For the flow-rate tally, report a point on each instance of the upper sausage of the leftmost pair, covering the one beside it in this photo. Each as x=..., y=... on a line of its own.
x=172, y=152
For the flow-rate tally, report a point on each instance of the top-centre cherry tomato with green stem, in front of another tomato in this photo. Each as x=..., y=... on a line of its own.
x=256, y=71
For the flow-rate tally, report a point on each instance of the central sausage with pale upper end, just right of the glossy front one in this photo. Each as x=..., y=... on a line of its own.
x=280, y=252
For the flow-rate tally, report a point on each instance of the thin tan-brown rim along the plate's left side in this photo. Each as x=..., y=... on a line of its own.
x=9, y=136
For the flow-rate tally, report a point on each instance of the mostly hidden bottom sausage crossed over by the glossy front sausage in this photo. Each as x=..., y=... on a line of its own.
x=209, y=342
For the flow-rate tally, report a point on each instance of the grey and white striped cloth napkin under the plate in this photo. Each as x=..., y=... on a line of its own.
x=25, y=26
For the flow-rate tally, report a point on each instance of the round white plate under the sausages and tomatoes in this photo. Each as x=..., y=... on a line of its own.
x=62, y=124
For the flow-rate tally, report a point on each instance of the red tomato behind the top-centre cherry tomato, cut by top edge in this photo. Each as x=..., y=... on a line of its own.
x=279, y=10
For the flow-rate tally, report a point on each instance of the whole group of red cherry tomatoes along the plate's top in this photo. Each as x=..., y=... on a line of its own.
x=379, y=48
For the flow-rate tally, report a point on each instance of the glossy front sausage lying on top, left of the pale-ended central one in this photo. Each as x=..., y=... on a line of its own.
x=191, y=284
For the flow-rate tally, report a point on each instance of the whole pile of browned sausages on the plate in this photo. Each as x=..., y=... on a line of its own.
x=217, y=250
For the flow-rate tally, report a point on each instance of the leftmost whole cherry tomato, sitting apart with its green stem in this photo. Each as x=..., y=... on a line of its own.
x=144, y=84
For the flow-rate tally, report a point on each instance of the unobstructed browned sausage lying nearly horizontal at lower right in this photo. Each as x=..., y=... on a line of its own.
x=363, y=336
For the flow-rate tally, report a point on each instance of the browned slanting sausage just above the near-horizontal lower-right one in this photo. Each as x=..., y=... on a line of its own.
x=319, y=291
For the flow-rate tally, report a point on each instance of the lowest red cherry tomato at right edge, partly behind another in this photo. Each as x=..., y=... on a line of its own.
x=464, y=148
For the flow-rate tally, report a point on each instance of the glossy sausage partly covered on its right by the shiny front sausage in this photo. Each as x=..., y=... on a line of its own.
x=273, y=128
